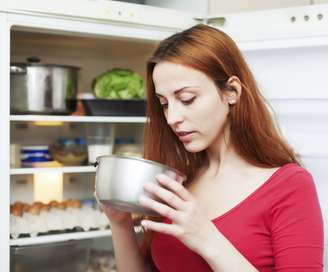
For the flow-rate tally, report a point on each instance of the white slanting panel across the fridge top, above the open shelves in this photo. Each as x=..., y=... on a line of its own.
x=103, y=10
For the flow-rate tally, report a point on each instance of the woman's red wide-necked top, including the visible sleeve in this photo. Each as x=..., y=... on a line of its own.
x=278, y=227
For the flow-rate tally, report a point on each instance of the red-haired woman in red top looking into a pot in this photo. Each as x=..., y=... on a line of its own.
x=247, y=205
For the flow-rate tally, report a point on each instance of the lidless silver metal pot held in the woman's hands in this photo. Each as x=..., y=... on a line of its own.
x=120, y=180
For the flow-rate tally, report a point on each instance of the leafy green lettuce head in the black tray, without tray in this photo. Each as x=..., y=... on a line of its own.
x=119, y=84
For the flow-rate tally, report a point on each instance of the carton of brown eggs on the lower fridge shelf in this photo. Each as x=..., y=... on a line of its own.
x=37, y=218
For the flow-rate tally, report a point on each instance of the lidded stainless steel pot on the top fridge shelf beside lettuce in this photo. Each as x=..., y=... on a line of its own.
x=42, y=88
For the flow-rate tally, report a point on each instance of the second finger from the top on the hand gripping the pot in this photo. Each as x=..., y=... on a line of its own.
x=167, y=196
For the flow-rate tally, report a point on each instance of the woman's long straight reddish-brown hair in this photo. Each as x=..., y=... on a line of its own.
x=253, y=132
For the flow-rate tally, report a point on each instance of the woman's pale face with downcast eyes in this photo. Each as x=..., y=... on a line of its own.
x=191, y=104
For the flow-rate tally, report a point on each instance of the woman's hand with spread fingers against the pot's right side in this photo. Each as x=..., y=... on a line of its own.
x=189, y=223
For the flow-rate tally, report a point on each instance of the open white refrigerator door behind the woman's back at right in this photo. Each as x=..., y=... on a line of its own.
x=287, y=51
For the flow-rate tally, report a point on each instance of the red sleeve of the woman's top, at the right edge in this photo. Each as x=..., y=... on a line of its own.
x=297, y=226
